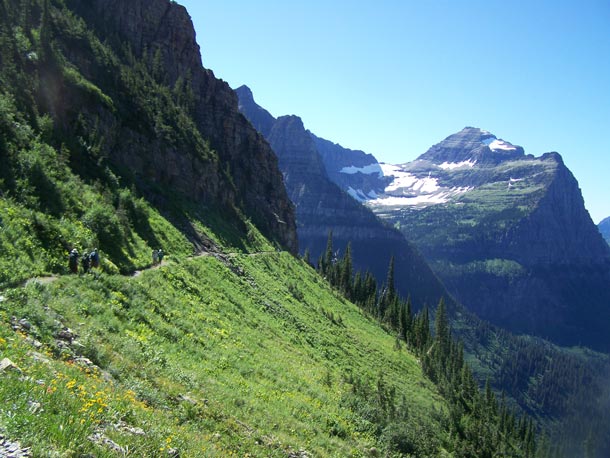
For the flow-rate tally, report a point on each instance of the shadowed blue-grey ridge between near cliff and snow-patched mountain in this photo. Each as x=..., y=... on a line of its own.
x=322, y=206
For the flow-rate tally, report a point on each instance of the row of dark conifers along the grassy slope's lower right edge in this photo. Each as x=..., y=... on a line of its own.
x=478, y=423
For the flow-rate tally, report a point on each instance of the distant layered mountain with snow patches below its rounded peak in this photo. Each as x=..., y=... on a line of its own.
x=508, y=234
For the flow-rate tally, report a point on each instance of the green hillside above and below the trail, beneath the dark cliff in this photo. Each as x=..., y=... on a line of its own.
x=239, y=350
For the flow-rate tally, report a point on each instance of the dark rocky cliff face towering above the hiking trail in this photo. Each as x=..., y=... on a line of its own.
x=241, y=169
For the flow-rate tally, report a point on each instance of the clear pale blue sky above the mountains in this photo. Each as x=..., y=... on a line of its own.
x=394, y=77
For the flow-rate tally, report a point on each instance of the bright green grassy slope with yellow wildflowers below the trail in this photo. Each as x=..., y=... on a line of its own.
x=202, y=356
